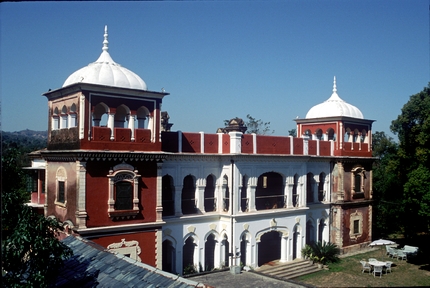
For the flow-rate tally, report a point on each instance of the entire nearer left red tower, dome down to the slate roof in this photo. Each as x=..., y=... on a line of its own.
x=104, y=158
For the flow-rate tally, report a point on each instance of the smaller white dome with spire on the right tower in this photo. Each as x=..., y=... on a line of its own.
x=334, y=106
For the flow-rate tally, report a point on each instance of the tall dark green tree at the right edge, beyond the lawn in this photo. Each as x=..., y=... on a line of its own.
x=413, y=129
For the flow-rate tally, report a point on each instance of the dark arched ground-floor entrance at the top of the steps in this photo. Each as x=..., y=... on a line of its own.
x=269, y=248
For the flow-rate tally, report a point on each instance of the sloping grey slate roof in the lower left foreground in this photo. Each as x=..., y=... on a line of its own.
x=94, y=266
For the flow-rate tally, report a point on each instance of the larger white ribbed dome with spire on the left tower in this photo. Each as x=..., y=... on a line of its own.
x=106, y=72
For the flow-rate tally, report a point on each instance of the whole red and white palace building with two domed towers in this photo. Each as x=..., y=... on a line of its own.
x=116, y=174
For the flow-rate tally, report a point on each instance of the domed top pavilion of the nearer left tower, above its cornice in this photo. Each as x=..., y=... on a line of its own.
x=101, y=104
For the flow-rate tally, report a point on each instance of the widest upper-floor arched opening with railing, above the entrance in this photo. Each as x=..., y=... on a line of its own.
x=269, y=193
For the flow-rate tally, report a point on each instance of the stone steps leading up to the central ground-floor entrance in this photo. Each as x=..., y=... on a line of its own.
x=288, y=270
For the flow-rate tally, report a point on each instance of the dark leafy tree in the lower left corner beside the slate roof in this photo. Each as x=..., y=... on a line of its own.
x=31, y=253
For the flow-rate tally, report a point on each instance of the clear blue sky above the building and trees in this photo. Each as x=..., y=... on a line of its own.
x=219, y=60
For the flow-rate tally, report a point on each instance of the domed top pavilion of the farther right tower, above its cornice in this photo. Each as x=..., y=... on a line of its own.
x=341, y=122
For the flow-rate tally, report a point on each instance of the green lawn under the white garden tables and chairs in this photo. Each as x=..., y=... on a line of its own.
x=347, y=273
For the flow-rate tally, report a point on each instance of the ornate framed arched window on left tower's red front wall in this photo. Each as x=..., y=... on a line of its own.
x=123, y=191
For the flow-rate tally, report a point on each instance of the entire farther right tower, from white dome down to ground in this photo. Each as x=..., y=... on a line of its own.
x=351, y=167
